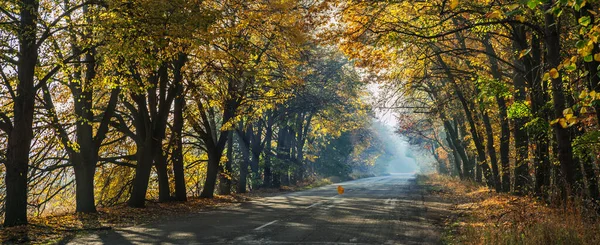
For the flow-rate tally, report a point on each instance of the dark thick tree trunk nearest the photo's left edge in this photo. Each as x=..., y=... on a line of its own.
x=19, y=139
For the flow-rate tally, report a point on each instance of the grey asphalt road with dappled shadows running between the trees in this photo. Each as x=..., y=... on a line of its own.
x=379, y=210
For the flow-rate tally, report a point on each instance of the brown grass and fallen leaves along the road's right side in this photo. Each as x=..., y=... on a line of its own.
x=482, y=216
